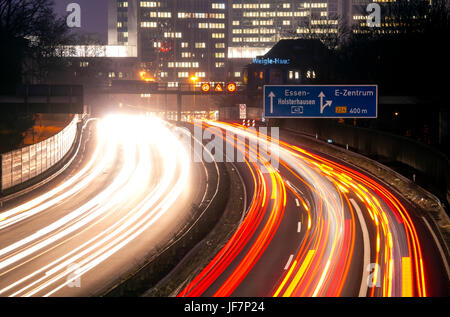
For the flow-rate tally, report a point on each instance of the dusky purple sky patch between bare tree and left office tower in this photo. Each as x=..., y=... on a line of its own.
x=94, y=15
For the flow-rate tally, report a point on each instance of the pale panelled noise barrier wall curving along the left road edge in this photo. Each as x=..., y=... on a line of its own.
x=21, y=165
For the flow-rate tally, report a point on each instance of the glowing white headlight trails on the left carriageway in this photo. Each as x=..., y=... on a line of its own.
x=132, y=138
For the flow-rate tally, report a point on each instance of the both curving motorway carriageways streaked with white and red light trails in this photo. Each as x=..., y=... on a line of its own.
x=313, y=226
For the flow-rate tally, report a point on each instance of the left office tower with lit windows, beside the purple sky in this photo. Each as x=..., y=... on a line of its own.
x=177, y=40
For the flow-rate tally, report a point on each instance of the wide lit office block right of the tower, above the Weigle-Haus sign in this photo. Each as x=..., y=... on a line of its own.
x=257, y=25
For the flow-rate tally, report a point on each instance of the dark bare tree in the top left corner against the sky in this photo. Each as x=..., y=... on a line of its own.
x=32, y=32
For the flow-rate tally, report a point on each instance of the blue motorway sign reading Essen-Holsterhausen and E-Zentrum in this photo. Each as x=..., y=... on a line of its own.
x=333, y=101
